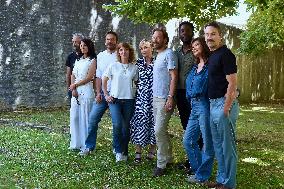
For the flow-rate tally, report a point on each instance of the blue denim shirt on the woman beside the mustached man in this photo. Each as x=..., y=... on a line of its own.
x=197, y=83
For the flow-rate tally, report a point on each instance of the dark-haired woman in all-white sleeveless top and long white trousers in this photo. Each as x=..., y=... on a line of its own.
x=82, y=94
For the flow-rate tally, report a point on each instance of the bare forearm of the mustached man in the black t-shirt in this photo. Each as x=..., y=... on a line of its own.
x=231, y=92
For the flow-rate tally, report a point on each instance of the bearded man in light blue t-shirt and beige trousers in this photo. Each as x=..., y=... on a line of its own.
x=164, y=86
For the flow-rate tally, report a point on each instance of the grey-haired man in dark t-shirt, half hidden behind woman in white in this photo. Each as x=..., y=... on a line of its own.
x=70, y=61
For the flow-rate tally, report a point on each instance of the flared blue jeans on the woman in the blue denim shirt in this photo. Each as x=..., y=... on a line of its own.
x=201, y=161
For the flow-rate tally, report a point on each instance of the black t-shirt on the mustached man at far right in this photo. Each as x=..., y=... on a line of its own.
x=222, y=62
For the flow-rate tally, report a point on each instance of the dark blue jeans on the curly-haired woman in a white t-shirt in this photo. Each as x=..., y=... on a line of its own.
x=121, y=111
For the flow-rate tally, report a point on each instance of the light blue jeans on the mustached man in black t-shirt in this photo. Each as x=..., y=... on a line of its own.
x=223, y=130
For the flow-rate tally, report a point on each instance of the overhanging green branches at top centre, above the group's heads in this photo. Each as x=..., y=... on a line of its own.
x=160, y=11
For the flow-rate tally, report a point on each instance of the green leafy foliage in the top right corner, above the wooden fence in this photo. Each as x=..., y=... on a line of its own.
x=265, y=28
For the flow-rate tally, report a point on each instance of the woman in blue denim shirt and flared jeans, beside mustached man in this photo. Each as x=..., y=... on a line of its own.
x=201, y=160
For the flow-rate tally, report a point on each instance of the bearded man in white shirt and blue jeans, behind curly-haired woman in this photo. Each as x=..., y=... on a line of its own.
x=104, y=59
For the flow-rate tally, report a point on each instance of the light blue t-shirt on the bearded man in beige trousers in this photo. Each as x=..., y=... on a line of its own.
x=164, y=62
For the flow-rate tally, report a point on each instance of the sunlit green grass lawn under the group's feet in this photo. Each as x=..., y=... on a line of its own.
x=38, y=157
